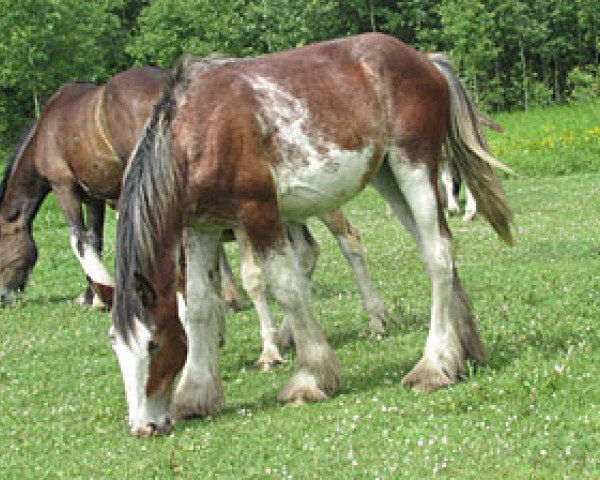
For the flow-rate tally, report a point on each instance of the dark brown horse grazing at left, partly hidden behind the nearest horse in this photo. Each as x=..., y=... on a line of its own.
x=77, y=149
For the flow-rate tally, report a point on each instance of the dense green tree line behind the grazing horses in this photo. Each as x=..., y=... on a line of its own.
x=512, y=54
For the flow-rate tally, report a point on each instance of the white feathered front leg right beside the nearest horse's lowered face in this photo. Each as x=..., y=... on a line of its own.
x=199, y=391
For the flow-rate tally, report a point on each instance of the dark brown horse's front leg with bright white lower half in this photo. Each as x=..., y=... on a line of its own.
x=84, y=246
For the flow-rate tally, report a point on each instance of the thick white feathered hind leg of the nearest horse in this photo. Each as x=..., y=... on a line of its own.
x=453, y=337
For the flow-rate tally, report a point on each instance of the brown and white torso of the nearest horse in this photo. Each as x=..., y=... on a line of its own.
x=318, y=120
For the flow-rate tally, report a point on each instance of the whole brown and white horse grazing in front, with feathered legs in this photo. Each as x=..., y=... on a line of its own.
x=278, y=138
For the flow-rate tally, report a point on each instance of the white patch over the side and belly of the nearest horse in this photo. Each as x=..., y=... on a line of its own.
x=313, y=175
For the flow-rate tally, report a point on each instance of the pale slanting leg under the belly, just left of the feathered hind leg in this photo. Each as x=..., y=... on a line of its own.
x=349, y=241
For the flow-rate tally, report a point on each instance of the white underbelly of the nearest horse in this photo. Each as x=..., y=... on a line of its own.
x=316, y=184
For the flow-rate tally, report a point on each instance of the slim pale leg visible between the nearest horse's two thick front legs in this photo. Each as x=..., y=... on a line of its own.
x=254, y=284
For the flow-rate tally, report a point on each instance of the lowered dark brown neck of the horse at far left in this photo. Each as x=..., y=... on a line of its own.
x=24, y=188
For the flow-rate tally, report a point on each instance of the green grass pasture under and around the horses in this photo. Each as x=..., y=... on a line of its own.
x=533, y=411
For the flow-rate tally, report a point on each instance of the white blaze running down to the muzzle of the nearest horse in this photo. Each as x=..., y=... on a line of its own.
x=134, y=360
